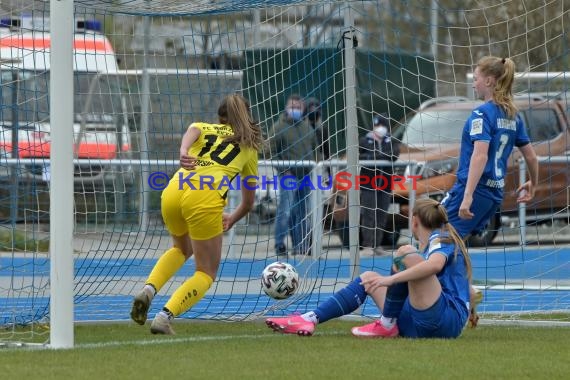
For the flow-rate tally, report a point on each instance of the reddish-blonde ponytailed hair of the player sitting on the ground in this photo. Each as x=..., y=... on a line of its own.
x=433, y=215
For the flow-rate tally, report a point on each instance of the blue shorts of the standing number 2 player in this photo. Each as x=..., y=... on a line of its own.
x=483, y=208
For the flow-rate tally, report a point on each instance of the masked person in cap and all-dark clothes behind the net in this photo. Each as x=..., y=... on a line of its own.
x=376, y=145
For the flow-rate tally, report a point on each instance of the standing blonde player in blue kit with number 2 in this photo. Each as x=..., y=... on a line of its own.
x=489, y=136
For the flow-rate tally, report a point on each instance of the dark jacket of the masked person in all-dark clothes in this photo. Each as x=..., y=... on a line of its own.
x=380, y=149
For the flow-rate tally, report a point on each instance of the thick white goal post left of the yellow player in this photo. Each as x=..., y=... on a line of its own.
x=61, y=226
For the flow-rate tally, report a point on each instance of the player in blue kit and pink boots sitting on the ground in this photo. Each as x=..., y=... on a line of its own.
x=426, y=295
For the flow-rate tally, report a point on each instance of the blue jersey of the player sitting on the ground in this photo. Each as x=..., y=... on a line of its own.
x=453, y=277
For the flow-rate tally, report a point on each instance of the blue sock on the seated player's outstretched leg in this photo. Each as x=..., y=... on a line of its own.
x=342, y=302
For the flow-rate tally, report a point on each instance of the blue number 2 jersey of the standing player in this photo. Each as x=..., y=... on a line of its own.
x=490, y=123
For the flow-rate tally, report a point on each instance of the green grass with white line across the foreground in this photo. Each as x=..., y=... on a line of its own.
x=248, y=350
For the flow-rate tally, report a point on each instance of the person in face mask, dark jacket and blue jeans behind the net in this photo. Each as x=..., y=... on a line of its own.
x=293, y=139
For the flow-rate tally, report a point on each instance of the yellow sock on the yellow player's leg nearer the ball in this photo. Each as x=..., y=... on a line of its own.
x=189, y=293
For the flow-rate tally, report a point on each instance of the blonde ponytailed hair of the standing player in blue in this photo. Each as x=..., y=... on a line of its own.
x=503, y=70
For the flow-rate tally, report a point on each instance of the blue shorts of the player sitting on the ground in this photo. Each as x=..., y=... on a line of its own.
x=442, y=320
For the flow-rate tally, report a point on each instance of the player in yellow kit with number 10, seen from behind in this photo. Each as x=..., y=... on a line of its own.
x=211, y=155
